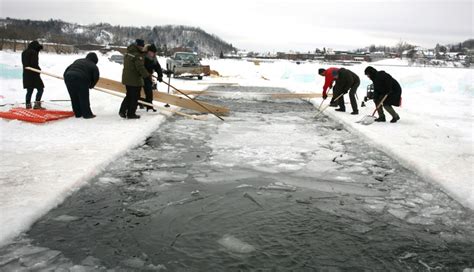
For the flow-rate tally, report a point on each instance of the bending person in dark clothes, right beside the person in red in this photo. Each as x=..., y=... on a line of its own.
x=346, y=81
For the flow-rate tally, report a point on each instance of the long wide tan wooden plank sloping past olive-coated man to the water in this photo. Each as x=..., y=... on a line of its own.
x=113, y=85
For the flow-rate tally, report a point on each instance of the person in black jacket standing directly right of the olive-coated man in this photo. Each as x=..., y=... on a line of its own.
x=152, y=65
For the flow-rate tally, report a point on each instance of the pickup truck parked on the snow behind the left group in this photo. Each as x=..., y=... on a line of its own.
x=185, y=64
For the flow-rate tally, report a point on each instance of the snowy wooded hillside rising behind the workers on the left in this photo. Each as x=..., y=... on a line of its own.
x=165, y=37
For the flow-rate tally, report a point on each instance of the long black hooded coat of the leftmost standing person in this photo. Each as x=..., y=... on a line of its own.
x=29, y=58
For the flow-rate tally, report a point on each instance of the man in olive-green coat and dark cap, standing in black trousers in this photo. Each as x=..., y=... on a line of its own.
x=132, y=77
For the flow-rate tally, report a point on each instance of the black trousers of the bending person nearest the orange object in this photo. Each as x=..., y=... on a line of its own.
x=78, y=89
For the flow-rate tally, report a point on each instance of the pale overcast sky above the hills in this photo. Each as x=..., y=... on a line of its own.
x=275, y=25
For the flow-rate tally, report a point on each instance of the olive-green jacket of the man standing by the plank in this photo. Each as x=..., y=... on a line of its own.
x=133, y=67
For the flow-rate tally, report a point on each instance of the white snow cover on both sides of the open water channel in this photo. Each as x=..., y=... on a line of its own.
x=43, y=164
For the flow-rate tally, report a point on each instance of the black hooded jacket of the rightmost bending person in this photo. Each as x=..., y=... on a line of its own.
x=384, y=84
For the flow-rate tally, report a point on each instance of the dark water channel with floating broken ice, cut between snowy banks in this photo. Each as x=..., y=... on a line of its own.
x=271, y=188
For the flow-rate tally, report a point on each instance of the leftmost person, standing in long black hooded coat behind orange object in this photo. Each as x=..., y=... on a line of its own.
x=32, y=80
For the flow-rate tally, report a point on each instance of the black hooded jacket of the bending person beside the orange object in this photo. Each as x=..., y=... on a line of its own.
x=85, y=68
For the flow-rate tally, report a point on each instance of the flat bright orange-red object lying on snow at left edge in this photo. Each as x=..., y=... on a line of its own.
x=35, y=116
